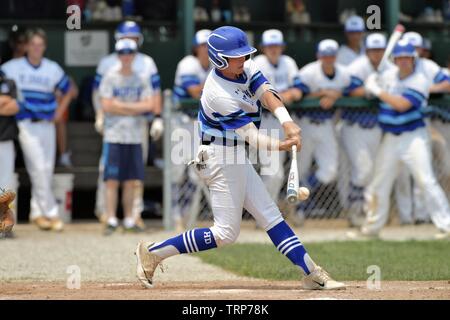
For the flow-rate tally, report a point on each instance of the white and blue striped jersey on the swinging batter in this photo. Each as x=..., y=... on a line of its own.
x=227, y=105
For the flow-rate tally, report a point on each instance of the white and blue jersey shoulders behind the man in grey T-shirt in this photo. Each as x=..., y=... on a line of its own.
x=143, y=65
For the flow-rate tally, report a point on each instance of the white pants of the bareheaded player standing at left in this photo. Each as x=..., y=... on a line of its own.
x=38, y=143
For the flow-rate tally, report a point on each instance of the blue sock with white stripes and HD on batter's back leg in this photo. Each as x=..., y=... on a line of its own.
x=190, y=241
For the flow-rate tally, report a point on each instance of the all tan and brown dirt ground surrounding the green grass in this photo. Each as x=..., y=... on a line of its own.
x=34, y=266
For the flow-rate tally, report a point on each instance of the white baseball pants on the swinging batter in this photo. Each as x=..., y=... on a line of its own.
x=234, y=185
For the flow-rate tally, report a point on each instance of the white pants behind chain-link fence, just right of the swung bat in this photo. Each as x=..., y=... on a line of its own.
x=319, y=143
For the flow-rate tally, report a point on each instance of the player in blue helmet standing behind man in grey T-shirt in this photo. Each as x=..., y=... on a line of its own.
x=146, y=67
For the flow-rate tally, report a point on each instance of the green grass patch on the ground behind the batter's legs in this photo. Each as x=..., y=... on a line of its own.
x=409, y=260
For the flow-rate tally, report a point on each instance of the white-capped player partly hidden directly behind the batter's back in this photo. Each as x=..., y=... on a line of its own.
x=190, y=77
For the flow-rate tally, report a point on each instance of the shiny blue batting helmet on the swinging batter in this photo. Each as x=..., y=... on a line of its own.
x=227, y=42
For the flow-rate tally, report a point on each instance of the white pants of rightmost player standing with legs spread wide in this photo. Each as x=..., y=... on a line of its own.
x=413, y=150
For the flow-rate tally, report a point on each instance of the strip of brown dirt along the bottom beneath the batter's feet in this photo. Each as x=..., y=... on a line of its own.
x=222, y=290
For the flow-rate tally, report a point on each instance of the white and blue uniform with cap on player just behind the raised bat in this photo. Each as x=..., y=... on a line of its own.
x=360, y=136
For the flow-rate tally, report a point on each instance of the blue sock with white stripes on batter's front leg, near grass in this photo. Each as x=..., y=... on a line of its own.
x=288, y=244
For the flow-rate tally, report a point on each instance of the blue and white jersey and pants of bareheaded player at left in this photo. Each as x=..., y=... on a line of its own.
x=37, y=86
